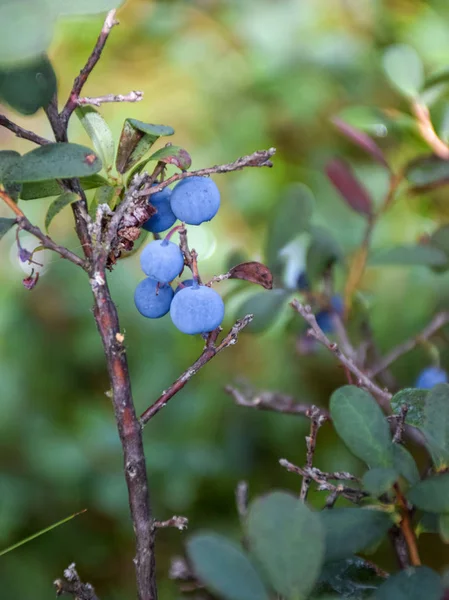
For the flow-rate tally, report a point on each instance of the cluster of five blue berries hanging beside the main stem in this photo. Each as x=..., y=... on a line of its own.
x=194, y=308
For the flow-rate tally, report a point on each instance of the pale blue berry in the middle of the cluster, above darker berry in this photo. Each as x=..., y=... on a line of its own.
x=162, y=260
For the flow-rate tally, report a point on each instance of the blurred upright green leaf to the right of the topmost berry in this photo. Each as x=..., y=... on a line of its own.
x=292, y=217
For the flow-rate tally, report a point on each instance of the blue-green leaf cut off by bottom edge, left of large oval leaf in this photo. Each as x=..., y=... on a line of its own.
x=224, y=568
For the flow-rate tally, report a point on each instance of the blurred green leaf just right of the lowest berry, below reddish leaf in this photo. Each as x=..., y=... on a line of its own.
x=265, y=306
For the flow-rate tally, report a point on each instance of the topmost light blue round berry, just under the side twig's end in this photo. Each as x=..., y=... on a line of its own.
x=195, y=200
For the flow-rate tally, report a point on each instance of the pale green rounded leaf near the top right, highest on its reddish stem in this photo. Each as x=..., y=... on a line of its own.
x=404, y=69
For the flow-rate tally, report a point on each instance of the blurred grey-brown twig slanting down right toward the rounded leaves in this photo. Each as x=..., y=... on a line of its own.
x=315, y=331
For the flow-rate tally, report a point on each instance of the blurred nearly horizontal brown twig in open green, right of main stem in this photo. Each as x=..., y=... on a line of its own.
x=273, y=401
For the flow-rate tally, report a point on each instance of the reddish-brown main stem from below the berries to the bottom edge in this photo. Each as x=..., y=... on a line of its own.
x=130, y=435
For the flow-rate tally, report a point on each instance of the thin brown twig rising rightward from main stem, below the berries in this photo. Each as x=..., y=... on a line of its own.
x=208, y=354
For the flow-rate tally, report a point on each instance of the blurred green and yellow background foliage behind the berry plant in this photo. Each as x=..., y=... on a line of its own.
x=231, y=76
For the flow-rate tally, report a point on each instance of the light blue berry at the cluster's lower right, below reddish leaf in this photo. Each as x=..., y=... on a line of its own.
x=197, y=309
